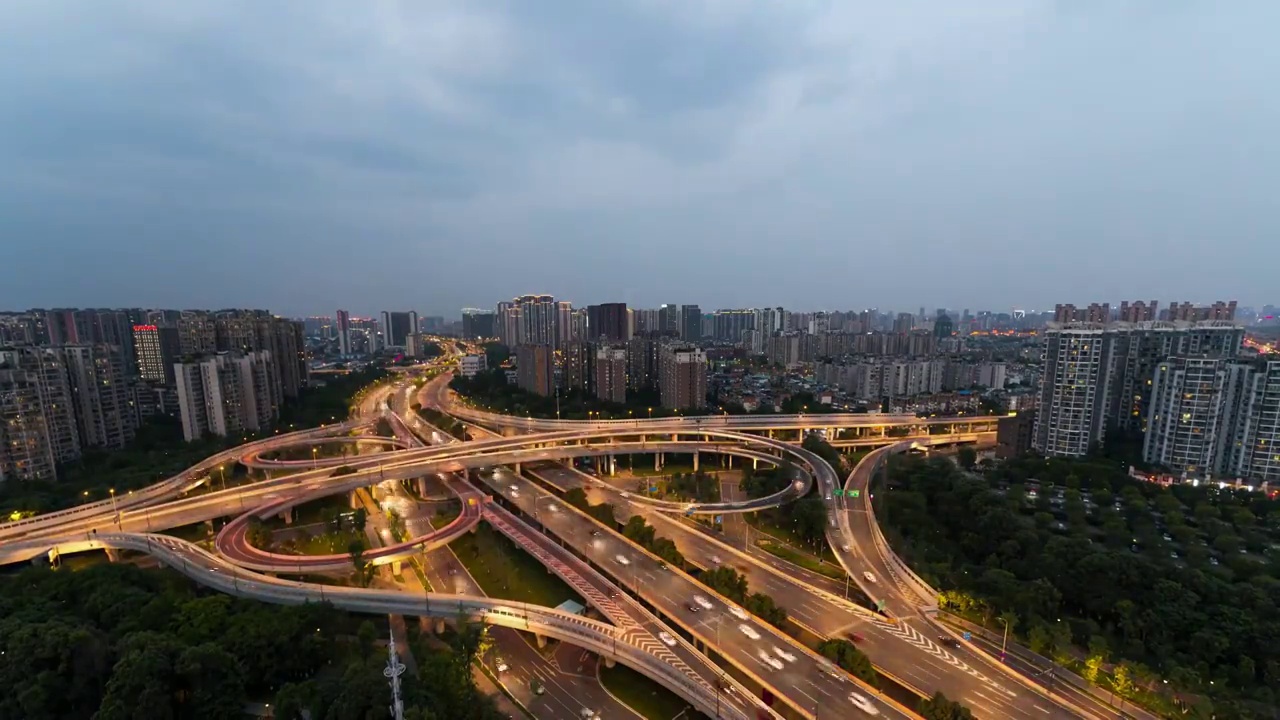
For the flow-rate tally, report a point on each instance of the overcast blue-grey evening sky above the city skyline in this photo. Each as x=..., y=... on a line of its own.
x=432, y=156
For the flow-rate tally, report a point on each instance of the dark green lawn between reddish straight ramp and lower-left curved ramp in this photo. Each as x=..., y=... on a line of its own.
x=505, y=571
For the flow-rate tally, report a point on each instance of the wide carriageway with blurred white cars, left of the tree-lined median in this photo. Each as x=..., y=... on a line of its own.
x=802, y=681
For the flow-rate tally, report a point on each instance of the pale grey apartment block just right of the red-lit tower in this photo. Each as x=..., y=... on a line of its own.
x=226, y=394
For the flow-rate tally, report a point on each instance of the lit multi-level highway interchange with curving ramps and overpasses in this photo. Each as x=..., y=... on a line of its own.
x=587, y=555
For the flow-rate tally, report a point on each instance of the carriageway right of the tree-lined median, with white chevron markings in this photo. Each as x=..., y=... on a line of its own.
x=931, y=667
